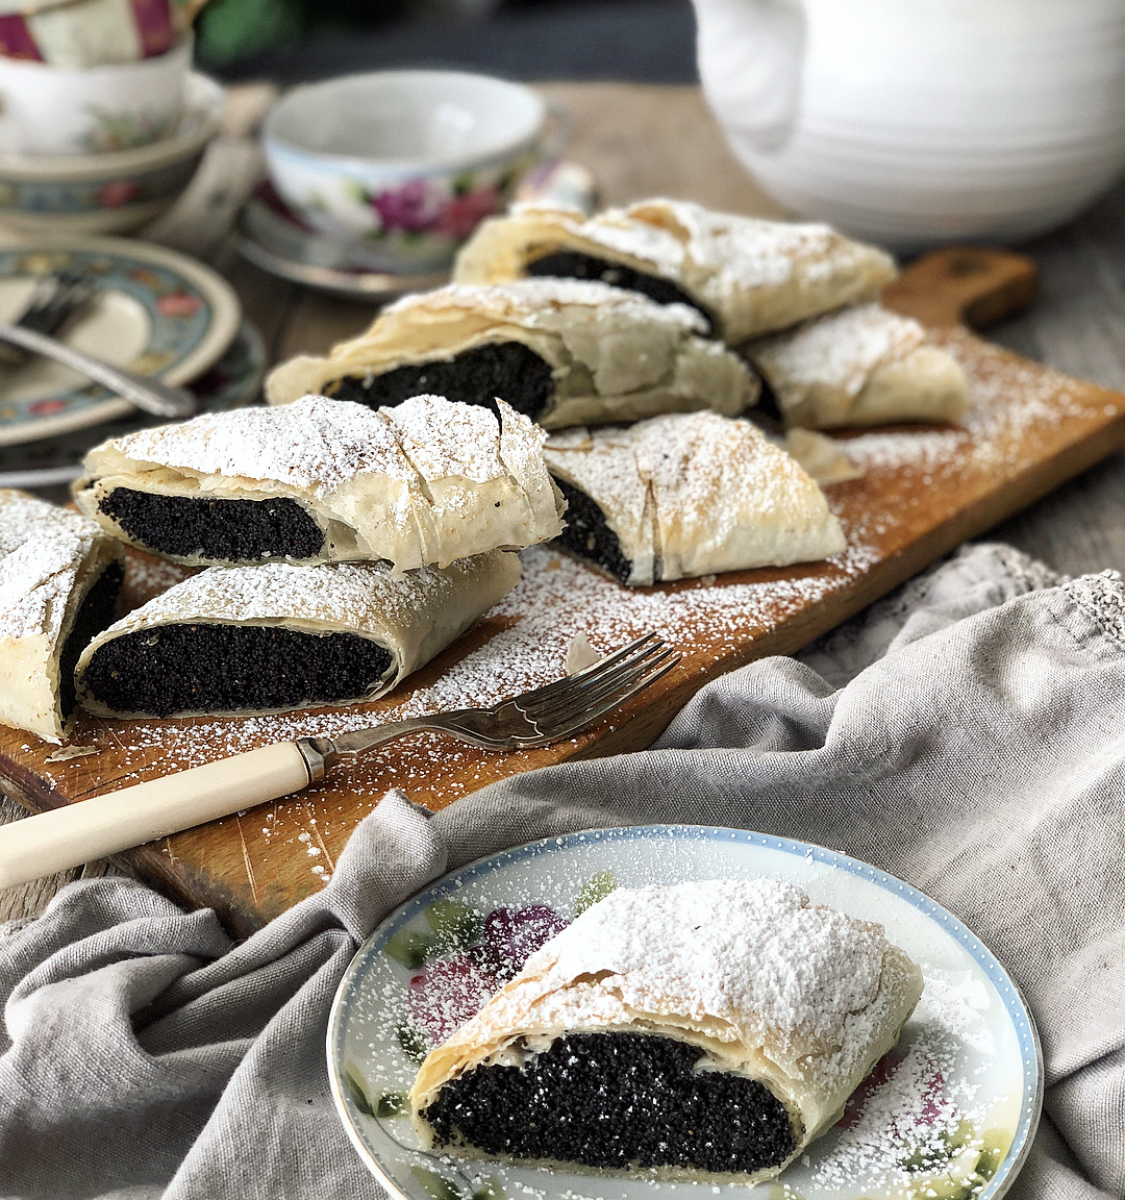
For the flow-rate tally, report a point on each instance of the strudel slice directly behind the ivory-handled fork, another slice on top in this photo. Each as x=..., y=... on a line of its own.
x=244, y=640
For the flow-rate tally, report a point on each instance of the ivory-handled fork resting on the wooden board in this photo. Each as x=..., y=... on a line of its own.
x=105, y=825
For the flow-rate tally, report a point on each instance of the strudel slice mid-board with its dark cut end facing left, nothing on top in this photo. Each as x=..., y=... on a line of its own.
x=684, y=496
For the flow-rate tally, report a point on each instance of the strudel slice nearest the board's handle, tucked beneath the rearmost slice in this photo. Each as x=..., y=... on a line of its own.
x=861, y=367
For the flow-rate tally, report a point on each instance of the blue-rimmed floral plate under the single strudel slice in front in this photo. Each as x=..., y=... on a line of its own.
x=949, y=1113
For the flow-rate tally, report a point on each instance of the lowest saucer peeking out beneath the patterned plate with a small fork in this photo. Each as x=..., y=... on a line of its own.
x=53, y=463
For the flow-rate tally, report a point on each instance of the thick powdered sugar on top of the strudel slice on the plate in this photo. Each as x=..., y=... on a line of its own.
x=773, y=967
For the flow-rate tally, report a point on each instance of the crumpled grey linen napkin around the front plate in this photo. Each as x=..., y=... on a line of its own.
x=968, y=735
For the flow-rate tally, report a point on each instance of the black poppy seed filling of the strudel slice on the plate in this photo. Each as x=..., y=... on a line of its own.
x=617, y=1101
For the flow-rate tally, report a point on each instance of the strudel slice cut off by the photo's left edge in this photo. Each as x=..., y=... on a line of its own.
x=59, y=584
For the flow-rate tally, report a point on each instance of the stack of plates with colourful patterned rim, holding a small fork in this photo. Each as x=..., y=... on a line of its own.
x=157, y=313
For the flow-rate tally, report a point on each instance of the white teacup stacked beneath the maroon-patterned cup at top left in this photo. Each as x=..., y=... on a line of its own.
x=49, y=110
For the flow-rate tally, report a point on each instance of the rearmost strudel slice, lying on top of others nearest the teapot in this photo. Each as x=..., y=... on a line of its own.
x=744, y=275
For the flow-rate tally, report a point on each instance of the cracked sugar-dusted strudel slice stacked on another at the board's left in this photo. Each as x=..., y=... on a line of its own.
x=317, y=482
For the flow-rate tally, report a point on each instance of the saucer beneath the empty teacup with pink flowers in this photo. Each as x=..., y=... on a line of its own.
x=278, y=241
